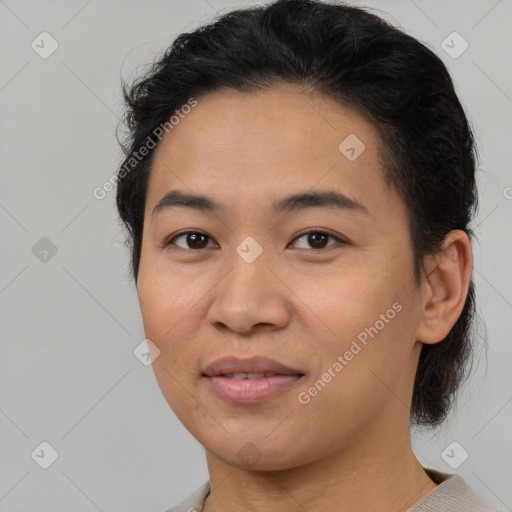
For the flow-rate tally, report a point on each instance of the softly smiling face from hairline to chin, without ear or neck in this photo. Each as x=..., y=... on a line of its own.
x=321, y=286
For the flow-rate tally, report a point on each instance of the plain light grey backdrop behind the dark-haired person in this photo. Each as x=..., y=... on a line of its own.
x=70, y=323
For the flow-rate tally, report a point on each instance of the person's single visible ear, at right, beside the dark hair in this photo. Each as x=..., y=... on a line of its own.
x=445, y=287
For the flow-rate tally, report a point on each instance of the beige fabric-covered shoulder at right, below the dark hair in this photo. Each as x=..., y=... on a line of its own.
x=452, y=494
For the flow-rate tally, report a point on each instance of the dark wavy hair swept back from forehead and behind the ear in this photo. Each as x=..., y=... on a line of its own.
x=362, y=61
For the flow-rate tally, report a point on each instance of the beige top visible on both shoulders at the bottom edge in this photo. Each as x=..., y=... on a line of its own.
x=452, y=494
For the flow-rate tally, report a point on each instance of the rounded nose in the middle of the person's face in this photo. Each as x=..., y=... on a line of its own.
x=252, y=296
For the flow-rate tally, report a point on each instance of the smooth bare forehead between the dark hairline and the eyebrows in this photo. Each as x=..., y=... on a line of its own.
x=250, y=146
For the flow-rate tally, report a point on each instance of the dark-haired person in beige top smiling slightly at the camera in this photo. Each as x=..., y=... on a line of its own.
x=297, y=189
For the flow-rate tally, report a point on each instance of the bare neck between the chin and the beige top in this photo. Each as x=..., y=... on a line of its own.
x=358, y=478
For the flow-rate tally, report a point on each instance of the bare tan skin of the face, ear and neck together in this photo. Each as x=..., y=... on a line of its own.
x=349, y=448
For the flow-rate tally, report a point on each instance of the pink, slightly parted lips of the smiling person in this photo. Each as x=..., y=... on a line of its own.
x=225, y=384
